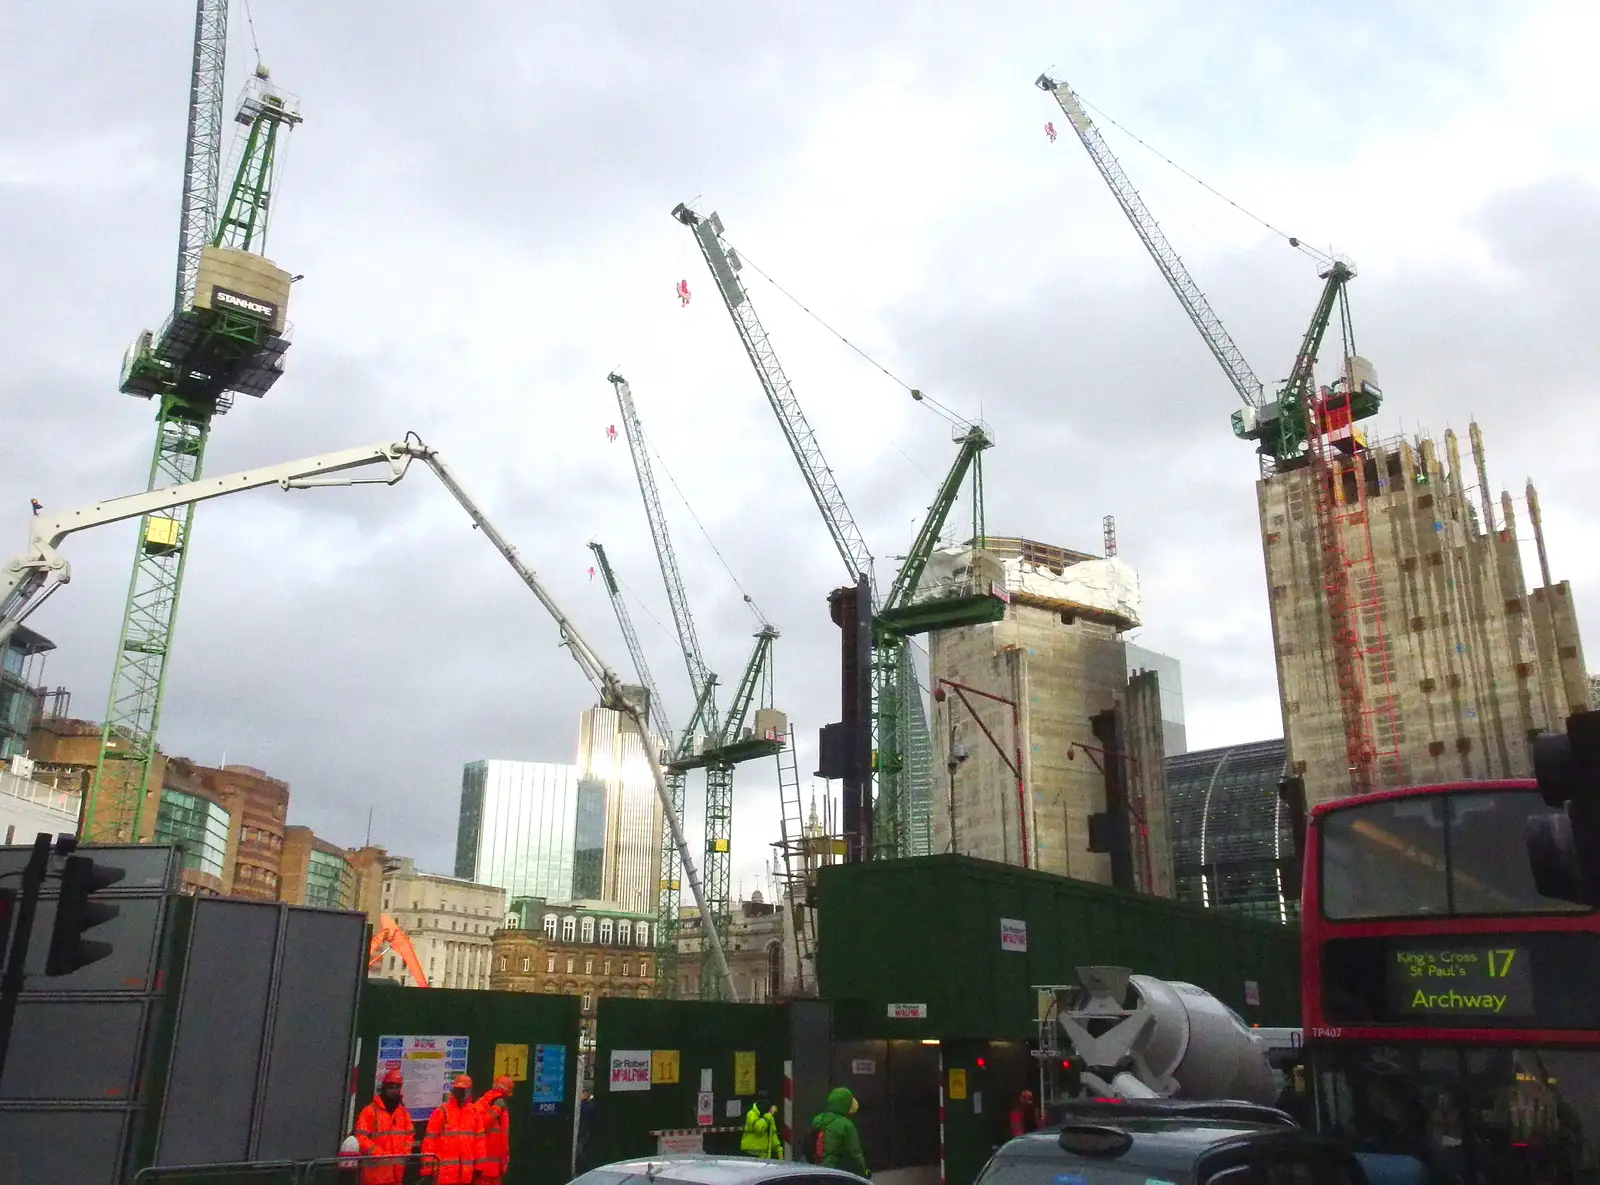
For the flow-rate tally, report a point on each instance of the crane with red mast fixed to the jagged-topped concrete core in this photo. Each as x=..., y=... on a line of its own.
x=1298, y=428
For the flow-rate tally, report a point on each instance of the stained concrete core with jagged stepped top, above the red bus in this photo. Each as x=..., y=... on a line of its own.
x=1462, y=664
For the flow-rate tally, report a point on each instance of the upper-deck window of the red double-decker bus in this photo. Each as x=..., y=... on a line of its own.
x=1433, y=855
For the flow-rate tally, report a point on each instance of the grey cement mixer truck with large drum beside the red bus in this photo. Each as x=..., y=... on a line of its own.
x=1118, y=1035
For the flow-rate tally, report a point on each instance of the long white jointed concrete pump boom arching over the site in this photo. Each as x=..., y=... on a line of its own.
x=34, y=575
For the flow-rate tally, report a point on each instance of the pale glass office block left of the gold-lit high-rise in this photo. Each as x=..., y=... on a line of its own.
x=519, y=828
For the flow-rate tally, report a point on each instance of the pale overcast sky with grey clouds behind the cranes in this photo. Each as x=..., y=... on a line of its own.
x=479, y=202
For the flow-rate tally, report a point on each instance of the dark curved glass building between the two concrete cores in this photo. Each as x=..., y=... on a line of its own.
x=1233, y=836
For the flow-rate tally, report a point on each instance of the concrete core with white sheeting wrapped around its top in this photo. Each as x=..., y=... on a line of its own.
x=1052, y=754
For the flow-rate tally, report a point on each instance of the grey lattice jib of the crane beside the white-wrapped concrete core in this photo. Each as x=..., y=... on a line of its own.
x=798, y=431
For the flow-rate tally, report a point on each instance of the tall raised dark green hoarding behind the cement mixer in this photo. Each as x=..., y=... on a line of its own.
x=959, y=944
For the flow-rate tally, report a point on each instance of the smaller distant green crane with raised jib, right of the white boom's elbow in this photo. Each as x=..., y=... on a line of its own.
x=711, y=741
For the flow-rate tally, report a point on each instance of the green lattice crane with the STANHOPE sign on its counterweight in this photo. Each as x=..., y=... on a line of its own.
x=226, y=337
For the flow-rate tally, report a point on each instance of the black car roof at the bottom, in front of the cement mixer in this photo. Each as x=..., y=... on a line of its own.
x=1166, y=1143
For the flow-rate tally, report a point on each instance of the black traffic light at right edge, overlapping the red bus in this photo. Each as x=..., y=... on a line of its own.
x=1564, y=847
